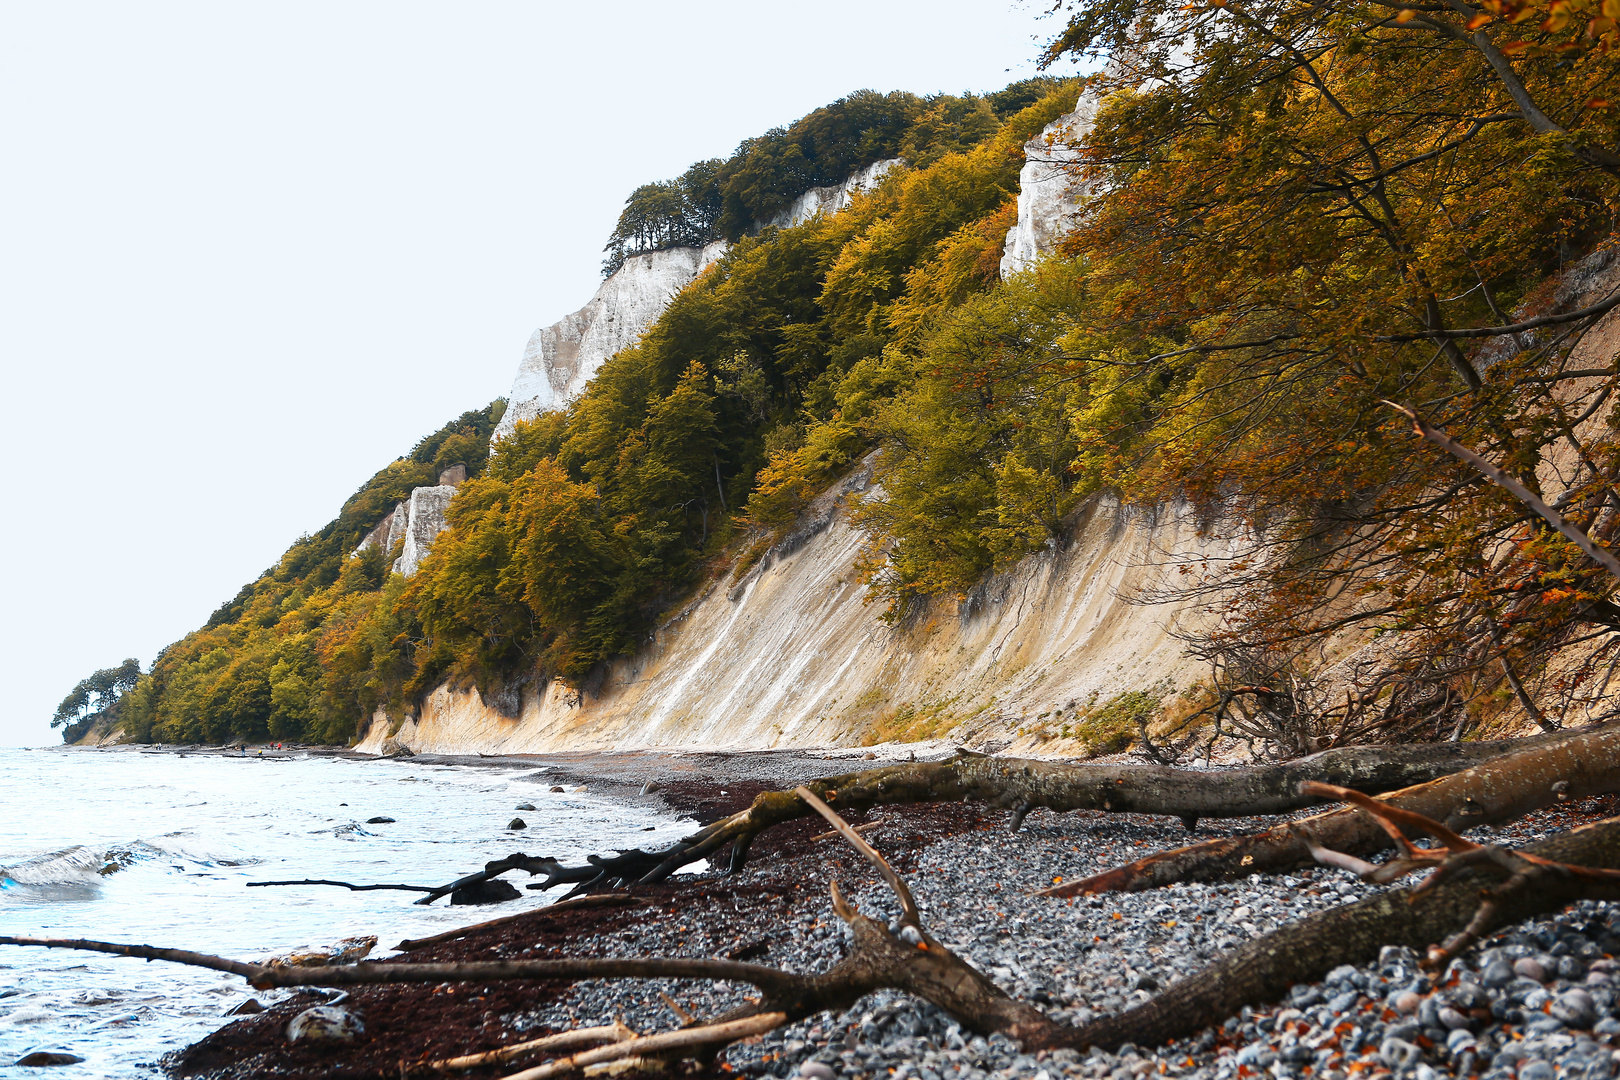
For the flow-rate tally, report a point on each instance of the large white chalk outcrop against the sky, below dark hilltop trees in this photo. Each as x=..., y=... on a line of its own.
x=566, y=355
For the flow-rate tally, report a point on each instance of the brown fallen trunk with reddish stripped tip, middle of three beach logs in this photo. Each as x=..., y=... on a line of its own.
x=1496, y=791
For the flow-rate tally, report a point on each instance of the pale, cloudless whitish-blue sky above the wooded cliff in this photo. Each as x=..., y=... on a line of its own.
x=254, y=252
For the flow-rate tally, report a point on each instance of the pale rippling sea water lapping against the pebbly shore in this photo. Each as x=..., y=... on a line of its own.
x=160, y=848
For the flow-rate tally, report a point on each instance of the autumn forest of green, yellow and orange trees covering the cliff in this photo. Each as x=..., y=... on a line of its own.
x=1295, y=215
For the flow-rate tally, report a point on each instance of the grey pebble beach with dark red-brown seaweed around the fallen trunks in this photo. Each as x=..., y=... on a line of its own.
x=1535, y=1003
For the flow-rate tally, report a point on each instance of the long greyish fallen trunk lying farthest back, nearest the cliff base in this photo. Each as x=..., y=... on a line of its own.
x=1025, y=784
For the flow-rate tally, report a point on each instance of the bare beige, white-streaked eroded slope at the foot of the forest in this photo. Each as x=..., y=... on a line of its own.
x=793, y=653
